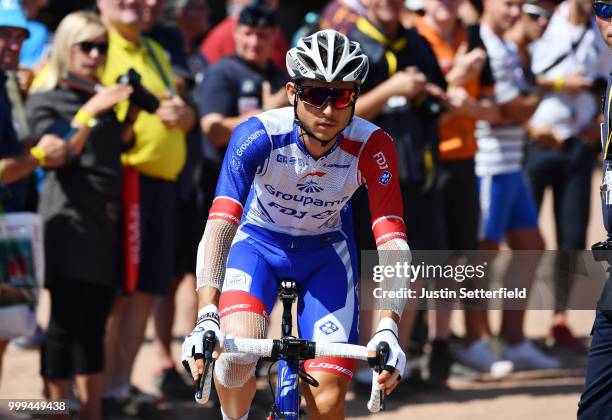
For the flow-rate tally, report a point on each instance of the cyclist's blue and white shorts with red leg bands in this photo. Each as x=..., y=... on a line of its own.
x=324, y=268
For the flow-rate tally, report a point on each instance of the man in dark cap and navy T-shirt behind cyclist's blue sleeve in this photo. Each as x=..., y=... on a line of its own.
x=242, y=85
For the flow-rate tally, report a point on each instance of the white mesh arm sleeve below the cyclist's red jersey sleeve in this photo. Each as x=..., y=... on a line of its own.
x=391, y=253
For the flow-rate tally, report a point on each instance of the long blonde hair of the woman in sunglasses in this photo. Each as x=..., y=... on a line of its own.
x=74, y=28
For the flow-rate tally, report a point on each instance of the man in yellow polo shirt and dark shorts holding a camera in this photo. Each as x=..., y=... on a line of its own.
x=155, y=161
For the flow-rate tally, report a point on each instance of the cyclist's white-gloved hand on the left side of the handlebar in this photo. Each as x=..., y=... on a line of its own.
x=193, y=346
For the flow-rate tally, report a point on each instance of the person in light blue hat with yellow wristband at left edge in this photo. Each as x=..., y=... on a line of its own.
x=50, y=150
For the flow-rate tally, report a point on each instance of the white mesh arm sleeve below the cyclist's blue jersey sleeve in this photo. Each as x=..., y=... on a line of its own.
x=212, y=253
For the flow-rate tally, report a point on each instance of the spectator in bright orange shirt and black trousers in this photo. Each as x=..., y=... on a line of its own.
x=462, y=61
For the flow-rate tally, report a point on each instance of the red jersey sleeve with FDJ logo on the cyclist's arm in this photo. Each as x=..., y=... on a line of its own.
x=378, y=168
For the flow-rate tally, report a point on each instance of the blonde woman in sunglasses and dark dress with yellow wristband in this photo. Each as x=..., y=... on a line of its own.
x=81, y=206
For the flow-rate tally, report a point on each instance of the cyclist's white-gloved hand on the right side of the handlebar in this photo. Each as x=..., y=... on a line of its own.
x=396, y=361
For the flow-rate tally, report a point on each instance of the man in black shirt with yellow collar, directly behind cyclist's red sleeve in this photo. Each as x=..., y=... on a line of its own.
x=402, y=94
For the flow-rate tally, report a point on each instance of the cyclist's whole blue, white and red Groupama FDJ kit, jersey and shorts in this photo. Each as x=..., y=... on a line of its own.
x=289, y=207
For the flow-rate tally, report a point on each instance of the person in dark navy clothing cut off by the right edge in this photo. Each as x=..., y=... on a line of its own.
x=596, y=400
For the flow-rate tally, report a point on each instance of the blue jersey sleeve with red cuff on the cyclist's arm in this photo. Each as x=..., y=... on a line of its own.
x=248, y=150
